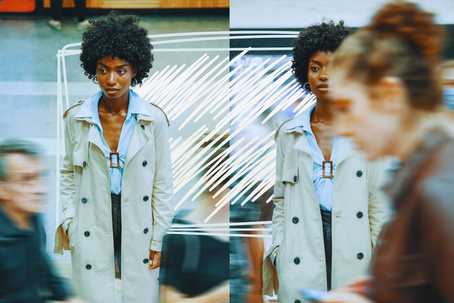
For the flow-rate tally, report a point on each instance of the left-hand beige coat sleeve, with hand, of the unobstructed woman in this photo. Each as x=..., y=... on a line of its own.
x=67, y=190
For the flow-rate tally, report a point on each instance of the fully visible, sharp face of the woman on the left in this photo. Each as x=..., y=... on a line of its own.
x=114, y=76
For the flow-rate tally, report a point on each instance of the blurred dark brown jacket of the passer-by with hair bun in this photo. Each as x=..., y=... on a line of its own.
x=414, y=260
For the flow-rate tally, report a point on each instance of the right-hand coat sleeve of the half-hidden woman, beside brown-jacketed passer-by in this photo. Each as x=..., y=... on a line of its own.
x=379, y=206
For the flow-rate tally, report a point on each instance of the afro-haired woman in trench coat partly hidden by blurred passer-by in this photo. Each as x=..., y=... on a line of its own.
x=328, y=211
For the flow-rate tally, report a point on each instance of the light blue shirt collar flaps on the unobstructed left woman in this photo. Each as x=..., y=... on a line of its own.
x=89, y=109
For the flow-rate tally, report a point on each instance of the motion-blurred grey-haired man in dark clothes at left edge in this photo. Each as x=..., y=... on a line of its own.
x=26, y=274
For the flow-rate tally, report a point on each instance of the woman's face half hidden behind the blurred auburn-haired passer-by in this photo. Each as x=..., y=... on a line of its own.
x=317, y=75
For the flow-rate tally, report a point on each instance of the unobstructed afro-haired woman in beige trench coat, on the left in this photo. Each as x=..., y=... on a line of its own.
x=116, y=180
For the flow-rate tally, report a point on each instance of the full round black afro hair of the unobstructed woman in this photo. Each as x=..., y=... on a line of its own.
x=119, y=37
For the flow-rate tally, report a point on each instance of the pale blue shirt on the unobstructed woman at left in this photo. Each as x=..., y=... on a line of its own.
x=134, y=108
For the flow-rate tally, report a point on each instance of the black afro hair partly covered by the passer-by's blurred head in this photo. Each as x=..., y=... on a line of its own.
x=326, y=37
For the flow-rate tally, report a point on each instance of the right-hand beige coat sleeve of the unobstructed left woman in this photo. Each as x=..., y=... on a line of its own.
x=162, y=186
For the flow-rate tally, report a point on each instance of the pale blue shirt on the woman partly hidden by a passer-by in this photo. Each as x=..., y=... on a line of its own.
x=323, y=186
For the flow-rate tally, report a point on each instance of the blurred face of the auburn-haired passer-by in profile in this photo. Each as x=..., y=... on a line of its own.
x=373, y=123
